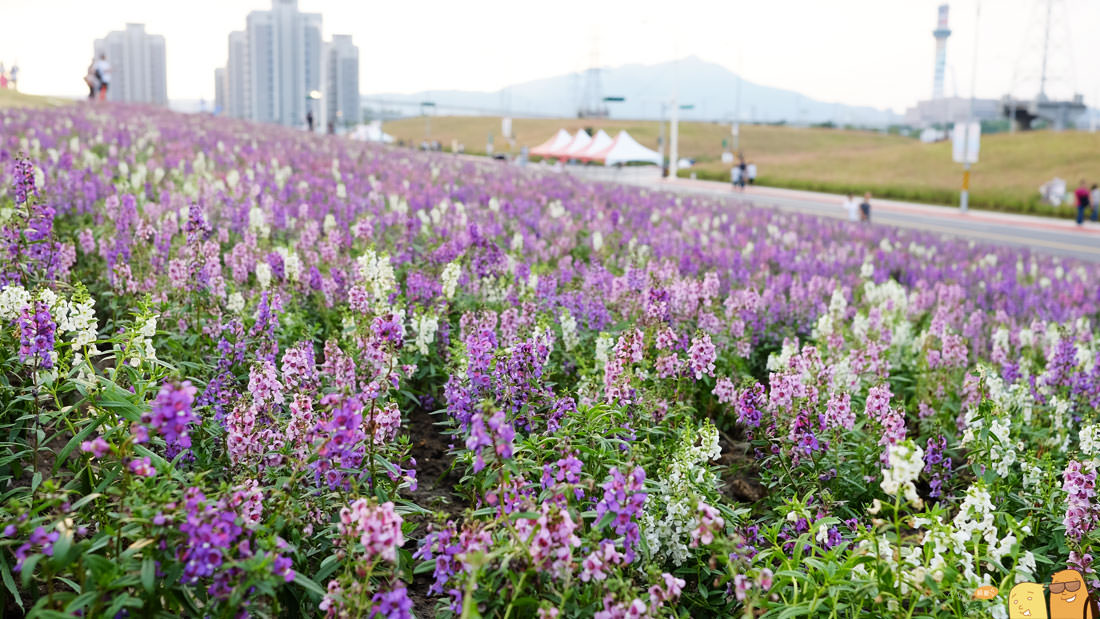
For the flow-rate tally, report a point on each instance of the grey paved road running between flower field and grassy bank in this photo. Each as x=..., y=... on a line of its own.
x=1041, y=235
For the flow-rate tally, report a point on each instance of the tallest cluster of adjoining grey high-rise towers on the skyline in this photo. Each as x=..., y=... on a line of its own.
x=279, y=70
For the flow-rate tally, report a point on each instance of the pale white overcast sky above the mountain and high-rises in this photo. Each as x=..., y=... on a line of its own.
x=861, y=52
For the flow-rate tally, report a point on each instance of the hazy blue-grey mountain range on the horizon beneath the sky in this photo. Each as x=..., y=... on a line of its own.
x=711, y=89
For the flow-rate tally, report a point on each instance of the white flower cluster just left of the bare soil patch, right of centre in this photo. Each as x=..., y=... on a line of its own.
x=672, y=514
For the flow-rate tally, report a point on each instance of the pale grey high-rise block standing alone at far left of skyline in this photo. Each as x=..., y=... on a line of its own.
x=139, y=69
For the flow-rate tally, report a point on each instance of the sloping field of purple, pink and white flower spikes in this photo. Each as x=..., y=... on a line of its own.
x=254, y=372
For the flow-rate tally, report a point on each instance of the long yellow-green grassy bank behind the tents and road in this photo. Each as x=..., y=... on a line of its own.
x=1007, y=179
